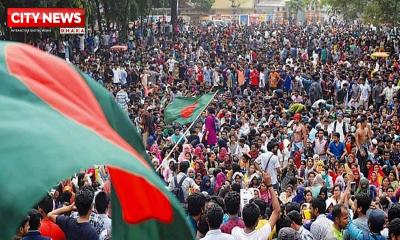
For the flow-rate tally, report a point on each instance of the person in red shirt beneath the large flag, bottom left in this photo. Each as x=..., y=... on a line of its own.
x=47, y=227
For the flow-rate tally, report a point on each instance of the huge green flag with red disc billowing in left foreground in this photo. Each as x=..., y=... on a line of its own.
x=55, y=121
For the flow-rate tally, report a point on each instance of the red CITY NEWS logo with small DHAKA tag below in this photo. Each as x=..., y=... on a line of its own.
x=69, y=20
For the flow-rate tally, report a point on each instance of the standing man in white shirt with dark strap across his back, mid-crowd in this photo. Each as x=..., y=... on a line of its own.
x=269, y=162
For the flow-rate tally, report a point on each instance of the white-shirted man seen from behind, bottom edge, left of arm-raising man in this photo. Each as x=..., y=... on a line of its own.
x=215, y=214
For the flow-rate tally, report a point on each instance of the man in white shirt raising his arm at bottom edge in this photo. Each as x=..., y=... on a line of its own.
x=251, y=215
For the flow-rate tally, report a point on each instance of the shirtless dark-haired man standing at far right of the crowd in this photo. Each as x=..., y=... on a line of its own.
x=363, y=140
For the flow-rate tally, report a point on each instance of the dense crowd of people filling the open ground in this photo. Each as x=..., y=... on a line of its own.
x=305, y=121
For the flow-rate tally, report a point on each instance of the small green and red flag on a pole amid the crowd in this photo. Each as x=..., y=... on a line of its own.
x=185, y=110
